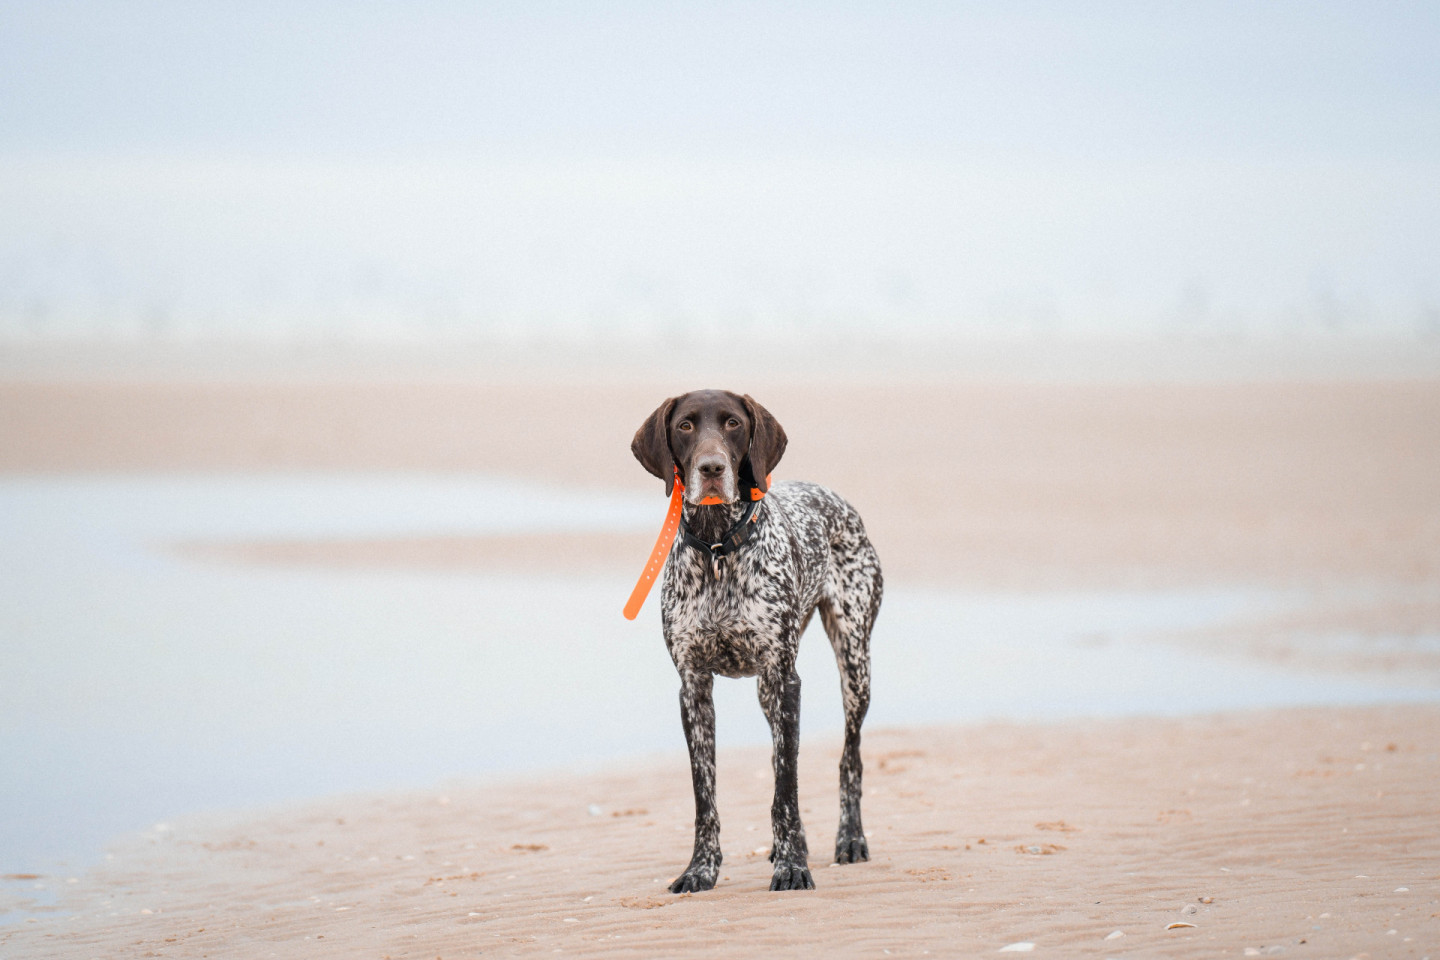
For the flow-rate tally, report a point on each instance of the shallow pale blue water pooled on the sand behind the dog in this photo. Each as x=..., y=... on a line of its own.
x=138, y=684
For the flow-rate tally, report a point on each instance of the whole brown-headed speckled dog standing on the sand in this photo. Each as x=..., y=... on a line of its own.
x=741, y=587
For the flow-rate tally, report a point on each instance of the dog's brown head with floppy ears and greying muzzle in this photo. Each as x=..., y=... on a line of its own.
x=722, y=443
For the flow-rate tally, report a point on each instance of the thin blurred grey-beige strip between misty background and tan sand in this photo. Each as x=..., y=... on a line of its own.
x=798, y=359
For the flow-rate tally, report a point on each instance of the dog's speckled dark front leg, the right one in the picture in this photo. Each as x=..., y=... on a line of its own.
x=781, y=702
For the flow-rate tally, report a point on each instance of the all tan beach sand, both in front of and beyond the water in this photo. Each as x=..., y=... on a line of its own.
x=1305, y=833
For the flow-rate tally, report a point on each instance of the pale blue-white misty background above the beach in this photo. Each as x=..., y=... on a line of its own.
x=634, y=172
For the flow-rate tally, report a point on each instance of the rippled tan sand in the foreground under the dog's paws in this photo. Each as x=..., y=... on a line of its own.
x=1264, y=830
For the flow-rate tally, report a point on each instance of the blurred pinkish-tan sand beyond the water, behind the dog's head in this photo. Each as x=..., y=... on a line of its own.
x=981, y=483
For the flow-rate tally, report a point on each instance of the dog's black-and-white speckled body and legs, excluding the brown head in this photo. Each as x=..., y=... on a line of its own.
x=744, y=617
